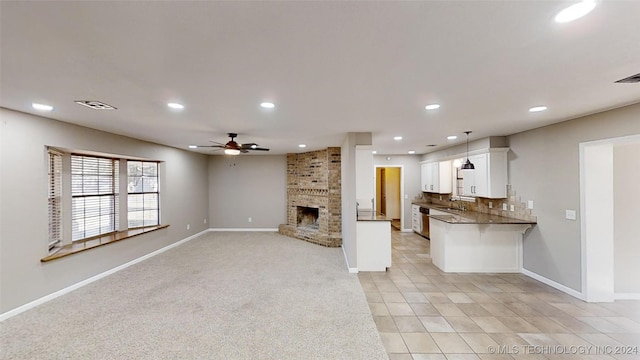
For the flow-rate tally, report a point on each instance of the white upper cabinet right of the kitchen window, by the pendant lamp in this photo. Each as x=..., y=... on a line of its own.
x=489, y=178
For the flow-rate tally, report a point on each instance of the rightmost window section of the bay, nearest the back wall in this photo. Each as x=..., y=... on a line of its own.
x=143, y=199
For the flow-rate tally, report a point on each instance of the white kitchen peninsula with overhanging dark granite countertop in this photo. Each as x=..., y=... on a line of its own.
x=467, y=241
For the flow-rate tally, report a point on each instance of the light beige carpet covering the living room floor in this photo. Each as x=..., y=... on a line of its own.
x=221, y=296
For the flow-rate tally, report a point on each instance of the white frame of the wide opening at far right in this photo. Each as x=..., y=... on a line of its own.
x=596, y=220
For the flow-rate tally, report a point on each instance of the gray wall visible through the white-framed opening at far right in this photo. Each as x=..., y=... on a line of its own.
x=626, y=210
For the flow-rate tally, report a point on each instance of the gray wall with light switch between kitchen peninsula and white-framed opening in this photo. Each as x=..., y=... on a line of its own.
x=544, y=167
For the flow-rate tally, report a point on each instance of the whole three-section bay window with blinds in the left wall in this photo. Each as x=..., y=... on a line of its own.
x=90, y=197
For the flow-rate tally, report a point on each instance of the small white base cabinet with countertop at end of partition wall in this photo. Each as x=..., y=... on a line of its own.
x=373, y=239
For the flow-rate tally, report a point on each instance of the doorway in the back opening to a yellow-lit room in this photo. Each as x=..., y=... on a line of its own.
x=388, y=194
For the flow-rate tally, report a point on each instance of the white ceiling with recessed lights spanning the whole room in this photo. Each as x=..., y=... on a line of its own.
x=330, y=68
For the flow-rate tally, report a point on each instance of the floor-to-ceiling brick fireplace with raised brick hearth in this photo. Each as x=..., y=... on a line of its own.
x=313, y=197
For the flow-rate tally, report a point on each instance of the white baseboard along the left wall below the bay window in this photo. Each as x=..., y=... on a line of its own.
x=68, y=289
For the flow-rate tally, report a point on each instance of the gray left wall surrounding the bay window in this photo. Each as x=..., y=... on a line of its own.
x=23, y=205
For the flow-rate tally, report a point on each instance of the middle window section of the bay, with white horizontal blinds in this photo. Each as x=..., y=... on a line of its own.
x=94, y=200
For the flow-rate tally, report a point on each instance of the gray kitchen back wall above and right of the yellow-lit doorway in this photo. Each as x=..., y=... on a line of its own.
x=410, y=179
